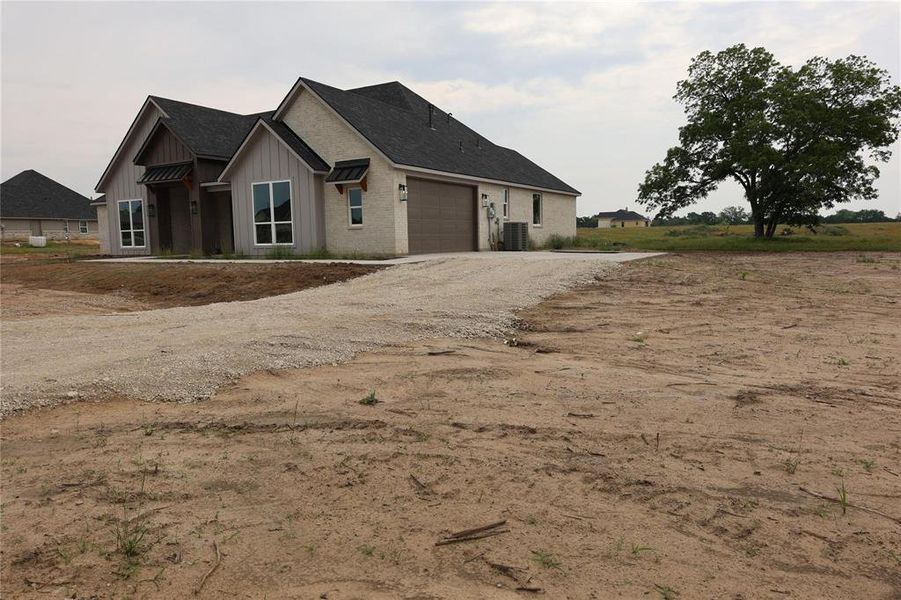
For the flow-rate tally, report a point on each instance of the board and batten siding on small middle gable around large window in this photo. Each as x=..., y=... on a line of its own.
x=265, y=158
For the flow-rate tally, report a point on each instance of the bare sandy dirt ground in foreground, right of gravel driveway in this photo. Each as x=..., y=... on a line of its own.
x=661, y=434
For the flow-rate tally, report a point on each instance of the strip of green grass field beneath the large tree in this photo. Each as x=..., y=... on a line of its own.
x=862, y=237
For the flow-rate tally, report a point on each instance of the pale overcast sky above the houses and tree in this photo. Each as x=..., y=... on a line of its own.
x=584, y=90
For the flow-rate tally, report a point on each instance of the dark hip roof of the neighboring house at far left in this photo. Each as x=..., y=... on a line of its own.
x=30, y=195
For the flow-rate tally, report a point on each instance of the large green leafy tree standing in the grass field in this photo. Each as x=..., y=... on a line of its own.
x=797, y=140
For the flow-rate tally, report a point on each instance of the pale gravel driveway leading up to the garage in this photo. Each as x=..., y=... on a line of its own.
x=185, y=353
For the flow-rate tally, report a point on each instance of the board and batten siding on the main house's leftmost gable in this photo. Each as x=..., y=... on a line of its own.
x=122, y=184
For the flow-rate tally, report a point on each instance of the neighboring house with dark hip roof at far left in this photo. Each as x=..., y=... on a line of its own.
x=33, y=204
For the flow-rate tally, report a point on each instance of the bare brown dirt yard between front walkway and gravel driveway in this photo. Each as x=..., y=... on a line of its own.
x=91, y=287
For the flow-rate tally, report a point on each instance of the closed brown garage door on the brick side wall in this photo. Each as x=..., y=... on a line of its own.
x=441, y=217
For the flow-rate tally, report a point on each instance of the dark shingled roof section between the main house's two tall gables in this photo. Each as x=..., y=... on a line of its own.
x=207, y=132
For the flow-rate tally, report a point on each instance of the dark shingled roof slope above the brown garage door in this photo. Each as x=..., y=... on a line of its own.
x=396, y=121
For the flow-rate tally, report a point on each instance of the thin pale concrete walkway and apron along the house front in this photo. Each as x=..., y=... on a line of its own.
x=605, y=257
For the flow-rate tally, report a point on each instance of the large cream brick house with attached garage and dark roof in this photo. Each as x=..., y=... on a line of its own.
x=374, y=170
